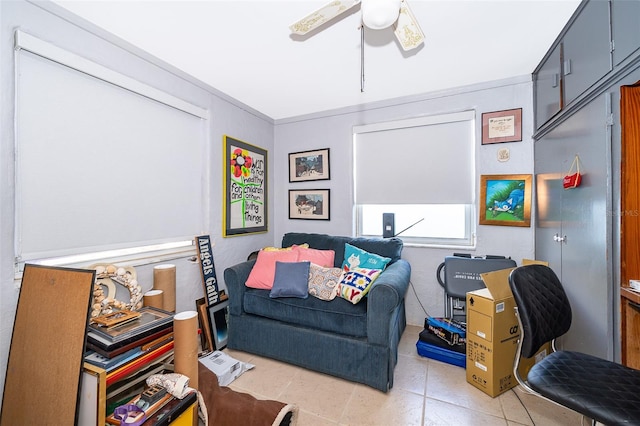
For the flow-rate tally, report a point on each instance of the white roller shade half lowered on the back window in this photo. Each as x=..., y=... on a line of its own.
x=427, y=160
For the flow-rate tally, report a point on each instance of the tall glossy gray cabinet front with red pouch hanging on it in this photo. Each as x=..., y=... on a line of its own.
x=581, y=218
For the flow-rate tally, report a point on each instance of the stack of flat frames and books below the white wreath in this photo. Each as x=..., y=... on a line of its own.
x=123, y=348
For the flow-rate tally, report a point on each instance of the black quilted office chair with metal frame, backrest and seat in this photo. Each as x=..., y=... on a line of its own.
x=605, y=391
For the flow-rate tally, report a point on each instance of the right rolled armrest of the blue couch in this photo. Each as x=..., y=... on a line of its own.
x=388, y=291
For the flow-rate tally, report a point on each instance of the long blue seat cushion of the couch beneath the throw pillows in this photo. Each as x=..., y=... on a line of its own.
x=338, y=316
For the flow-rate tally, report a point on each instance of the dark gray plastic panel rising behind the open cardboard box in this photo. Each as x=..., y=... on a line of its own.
x=462, y=274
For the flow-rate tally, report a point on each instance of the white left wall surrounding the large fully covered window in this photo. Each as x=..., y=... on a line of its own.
x=227, y=117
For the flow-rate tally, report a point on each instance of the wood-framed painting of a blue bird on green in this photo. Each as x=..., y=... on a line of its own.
x=506, y=200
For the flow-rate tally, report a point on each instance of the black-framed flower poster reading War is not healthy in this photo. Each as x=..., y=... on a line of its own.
x=245, y=188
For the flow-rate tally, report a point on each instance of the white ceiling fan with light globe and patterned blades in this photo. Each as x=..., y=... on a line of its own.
x=376, y=15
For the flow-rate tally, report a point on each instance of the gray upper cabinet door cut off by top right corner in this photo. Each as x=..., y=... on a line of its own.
x=625, y=28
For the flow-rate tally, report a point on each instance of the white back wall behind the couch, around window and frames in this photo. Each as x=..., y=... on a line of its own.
x=334, y=130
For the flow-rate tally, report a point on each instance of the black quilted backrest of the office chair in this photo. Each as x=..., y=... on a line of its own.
x=543, y=306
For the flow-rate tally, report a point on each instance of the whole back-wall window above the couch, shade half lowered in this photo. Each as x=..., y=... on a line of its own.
x=422, y=171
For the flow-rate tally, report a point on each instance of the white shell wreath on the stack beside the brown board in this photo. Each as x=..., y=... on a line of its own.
x=108, y=275
